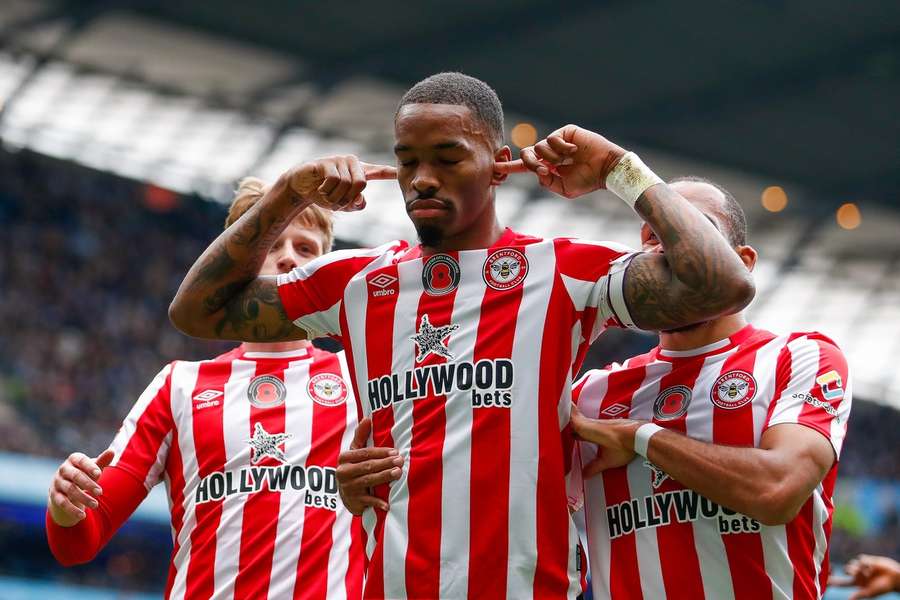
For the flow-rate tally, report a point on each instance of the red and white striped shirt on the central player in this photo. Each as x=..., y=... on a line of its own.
x=465, y=362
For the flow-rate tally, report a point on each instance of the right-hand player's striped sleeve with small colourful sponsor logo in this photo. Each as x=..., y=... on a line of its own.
x=813, y=389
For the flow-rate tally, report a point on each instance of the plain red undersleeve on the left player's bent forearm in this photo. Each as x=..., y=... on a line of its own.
x=122, y=493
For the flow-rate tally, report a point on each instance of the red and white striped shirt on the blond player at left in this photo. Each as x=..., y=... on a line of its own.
x=247, y=444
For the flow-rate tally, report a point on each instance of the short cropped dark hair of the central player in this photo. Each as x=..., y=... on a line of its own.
x=463, y=90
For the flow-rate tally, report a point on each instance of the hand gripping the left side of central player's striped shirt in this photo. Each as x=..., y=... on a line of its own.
x=361, y=468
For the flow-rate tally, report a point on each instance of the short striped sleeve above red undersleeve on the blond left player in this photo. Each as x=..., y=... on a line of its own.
x=142, y=443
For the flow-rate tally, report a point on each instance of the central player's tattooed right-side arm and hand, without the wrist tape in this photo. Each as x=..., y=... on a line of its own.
x=699, y=277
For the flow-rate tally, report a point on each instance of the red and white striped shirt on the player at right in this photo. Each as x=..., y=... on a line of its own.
x=648, y=535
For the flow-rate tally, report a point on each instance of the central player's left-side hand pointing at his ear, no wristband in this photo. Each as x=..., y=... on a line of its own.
x=337, y=182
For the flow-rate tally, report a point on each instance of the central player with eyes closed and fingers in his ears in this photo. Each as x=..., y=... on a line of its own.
x=463, y=347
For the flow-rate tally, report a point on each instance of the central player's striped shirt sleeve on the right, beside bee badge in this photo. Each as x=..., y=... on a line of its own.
x=593, y=274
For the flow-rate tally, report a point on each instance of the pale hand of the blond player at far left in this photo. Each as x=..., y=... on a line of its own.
x=75, y=486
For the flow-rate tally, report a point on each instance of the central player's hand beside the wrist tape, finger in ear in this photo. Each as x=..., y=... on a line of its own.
x=571, y=161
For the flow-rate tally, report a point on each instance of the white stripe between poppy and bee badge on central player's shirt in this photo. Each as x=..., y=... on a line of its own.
x=457, y=448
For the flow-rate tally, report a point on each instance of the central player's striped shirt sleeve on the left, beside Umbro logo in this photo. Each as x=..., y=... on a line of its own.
x=312, y=293
